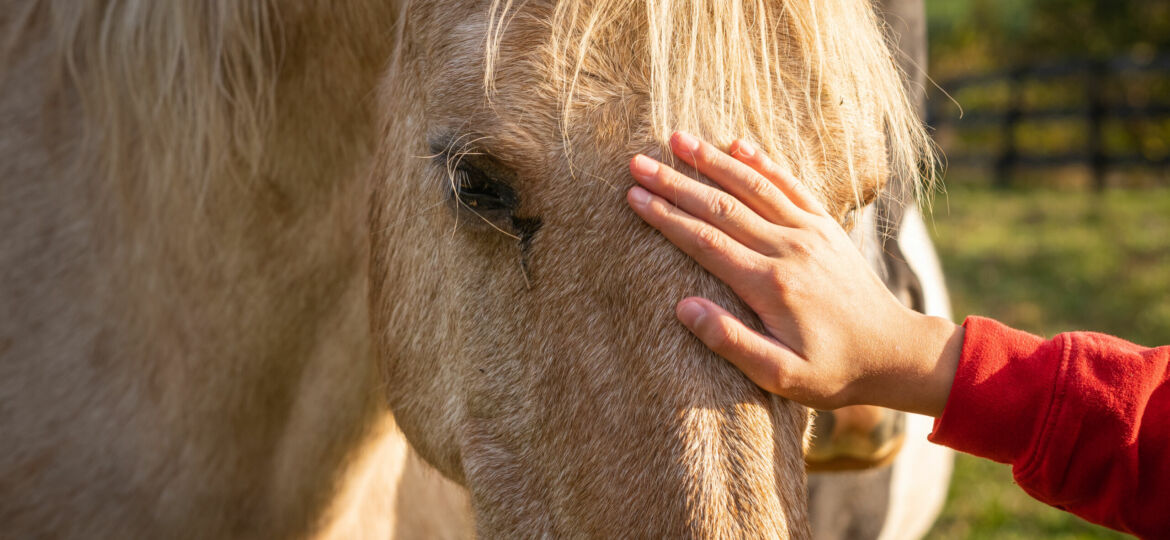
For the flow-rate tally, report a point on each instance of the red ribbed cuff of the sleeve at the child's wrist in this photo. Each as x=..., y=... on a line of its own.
x=1003, y=391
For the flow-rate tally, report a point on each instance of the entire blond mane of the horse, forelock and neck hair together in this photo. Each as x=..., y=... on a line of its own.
x=182, y=91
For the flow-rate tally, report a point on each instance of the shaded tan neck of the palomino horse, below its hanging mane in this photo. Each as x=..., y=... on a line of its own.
x=212, y=357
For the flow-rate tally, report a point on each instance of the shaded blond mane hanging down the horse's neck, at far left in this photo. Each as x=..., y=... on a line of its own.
x=168, y=91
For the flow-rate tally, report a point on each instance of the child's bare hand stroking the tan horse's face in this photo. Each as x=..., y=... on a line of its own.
x=835, y=335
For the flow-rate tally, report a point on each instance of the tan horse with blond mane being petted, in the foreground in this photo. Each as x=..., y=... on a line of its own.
x=261, y=255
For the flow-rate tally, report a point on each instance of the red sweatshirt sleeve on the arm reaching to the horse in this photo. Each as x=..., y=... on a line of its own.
x=1084, y=420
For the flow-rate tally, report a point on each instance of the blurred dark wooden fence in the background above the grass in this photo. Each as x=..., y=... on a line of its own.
x=1104, y=93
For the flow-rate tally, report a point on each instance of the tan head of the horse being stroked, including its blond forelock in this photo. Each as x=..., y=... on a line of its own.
x=525, y=316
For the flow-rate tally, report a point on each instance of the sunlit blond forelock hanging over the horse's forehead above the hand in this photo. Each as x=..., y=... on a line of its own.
x=814, y=79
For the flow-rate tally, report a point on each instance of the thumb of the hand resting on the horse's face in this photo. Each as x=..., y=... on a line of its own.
x=768, y=363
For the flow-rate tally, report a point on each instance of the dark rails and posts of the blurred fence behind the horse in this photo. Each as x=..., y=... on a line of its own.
x=1097, y=110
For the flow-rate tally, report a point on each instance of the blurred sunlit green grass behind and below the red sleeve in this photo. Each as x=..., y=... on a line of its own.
x=1048, y=261
